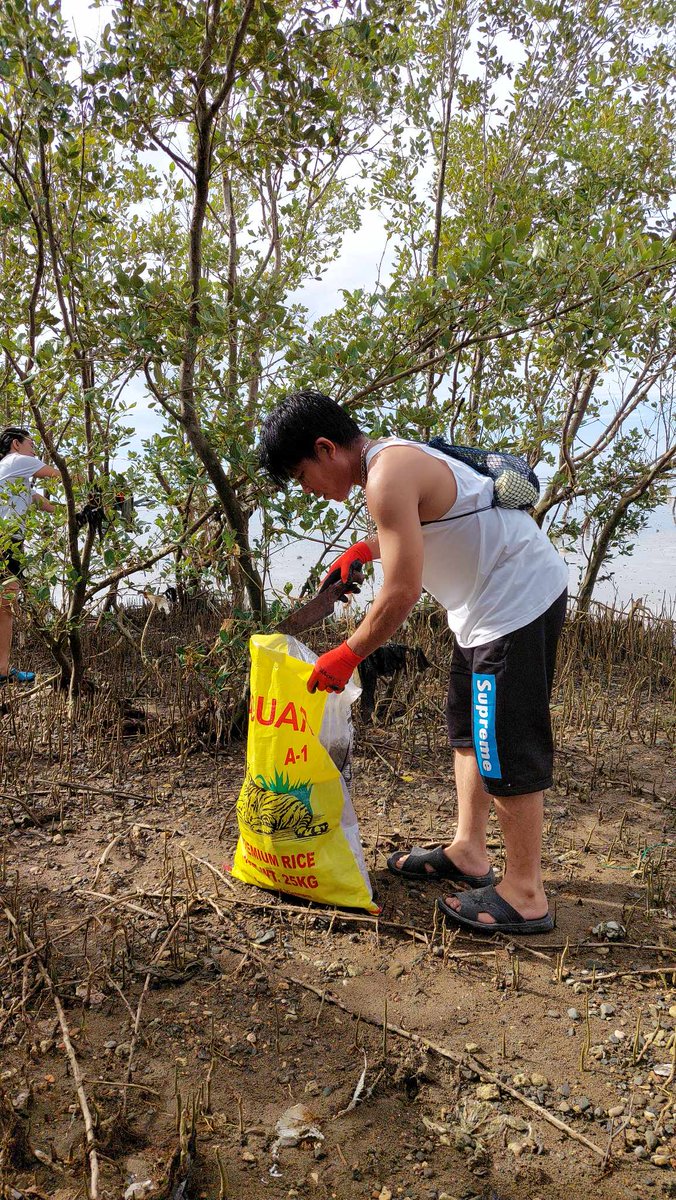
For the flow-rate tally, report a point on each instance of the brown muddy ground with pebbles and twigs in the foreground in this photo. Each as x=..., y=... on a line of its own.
x=193, y=999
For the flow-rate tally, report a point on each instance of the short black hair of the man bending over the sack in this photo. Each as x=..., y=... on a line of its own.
x=291, y=431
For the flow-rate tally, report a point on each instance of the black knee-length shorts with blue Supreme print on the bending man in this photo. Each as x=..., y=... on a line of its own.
x=499, y=705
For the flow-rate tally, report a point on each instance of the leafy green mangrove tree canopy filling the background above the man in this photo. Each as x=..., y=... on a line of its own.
x=166, y=197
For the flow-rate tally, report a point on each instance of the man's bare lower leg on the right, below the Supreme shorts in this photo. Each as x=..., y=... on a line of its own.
x=522, y=823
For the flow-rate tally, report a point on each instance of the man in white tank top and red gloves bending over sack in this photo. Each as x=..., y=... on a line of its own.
x=505, y=591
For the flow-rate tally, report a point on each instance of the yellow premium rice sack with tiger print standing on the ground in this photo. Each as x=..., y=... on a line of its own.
x=297, y=824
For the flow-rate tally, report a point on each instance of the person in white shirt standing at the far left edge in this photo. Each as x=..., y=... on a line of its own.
x=20, y=466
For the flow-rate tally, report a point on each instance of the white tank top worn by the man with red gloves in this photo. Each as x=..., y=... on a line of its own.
x=494, y=572
